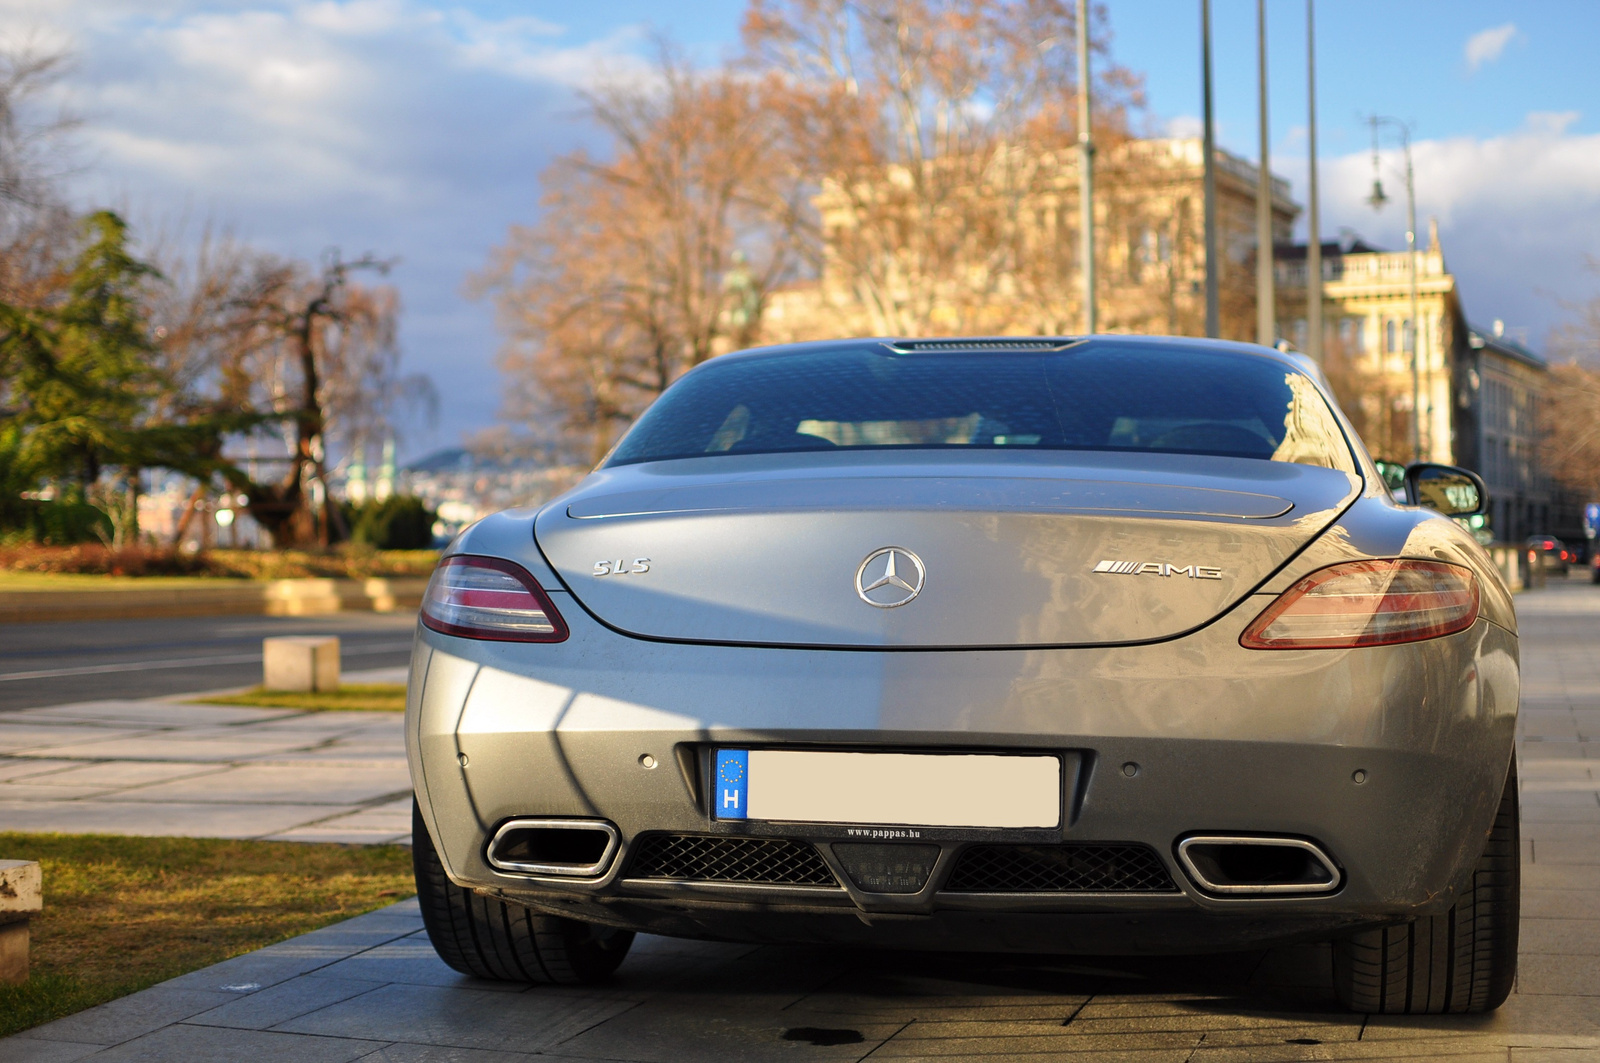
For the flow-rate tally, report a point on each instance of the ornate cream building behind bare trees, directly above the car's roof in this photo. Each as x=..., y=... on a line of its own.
x=996, y=251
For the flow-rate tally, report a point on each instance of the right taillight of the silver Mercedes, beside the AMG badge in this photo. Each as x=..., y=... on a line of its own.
x=1369, y=603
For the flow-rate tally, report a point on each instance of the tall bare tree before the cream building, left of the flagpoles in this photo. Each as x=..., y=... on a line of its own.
x=940, y=134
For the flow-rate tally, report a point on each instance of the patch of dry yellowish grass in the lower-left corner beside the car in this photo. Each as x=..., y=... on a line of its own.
x=124, y=913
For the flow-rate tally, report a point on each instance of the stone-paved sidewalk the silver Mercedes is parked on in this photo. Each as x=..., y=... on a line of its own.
x=374, y=990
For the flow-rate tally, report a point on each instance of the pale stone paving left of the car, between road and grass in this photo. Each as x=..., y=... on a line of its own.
x=206, y=771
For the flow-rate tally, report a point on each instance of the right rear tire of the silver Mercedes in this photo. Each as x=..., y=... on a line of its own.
x=1463, y=961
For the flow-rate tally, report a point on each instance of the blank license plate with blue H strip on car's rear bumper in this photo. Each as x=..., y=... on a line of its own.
x=956, y=790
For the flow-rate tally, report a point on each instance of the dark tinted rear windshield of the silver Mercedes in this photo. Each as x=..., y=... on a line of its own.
x=1086, y=398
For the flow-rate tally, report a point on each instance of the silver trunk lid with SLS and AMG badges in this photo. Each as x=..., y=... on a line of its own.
x=1026, y=552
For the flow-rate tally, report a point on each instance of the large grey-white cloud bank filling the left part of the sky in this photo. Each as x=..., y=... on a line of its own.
x=404, y=127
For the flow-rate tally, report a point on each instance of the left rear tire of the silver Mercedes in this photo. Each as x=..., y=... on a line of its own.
x=492, y=939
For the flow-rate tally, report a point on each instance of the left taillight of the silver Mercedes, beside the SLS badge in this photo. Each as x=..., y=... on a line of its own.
x=489, y=598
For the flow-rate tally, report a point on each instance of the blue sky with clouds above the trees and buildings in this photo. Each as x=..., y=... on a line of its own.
x=417, y=130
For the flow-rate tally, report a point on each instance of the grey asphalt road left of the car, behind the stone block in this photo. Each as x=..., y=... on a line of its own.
x=73, y=662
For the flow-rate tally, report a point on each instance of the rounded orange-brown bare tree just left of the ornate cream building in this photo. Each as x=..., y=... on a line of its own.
x=649, y=263
